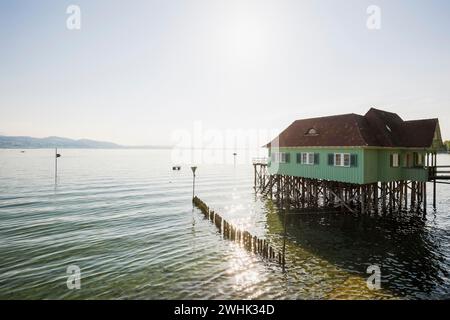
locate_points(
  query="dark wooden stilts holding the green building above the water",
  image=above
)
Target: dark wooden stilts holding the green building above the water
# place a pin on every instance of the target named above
(301, 193)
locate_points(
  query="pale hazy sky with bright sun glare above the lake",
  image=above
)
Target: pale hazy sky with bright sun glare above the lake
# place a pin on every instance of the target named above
(139, 70)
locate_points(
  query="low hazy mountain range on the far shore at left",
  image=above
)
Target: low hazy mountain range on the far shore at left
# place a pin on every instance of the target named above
(22, 142)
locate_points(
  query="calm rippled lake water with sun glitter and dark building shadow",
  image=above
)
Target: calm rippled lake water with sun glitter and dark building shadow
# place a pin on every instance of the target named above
(126, 219)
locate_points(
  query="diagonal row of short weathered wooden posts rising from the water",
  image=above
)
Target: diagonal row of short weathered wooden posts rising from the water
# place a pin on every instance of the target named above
(246, 239)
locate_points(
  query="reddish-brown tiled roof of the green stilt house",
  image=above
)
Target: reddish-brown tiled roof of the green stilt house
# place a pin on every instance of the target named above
(375, 128)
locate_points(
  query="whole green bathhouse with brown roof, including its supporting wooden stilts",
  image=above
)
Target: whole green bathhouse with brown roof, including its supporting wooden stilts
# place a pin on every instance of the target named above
(353, 161)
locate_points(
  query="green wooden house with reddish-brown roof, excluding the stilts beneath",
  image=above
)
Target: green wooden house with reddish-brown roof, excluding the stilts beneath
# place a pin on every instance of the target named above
(376, 147)
